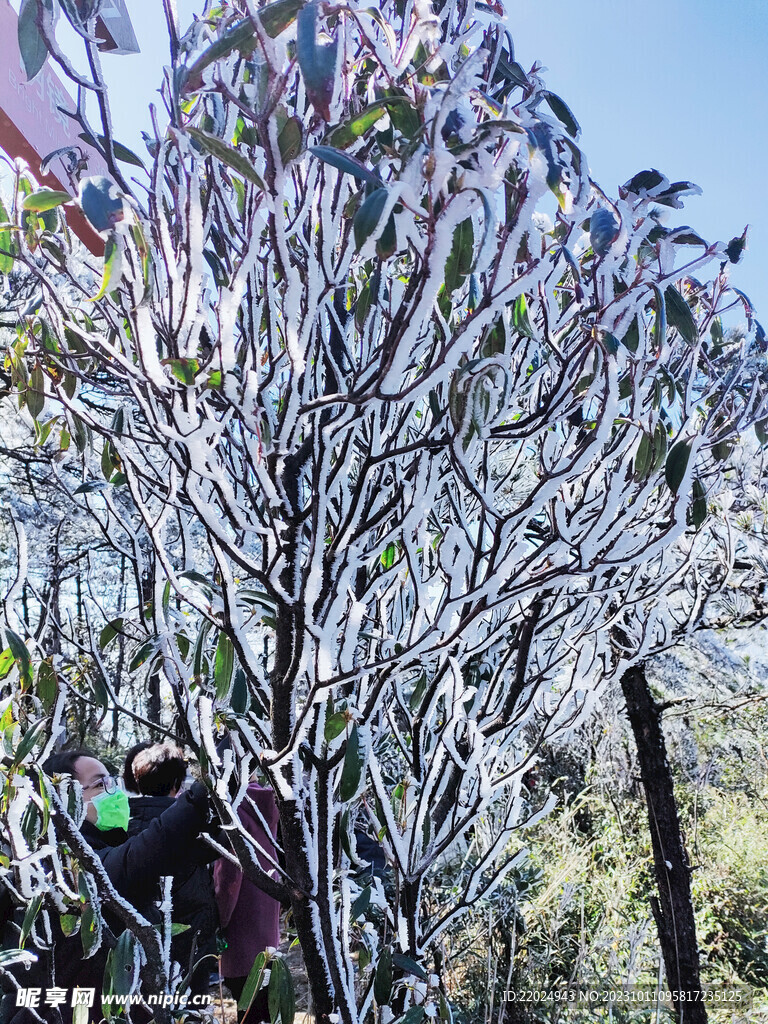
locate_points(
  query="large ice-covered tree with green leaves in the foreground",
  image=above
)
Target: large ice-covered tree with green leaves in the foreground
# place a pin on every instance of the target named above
(418, 431)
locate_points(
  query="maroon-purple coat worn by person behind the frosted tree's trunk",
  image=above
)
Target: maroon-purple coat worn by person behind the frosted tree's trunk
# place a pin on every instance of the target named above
(250, 919)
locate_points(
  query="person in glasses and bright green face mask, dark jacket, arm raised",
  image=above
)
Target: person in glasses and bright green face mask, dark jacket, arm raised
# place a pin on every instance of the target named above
(169, 845)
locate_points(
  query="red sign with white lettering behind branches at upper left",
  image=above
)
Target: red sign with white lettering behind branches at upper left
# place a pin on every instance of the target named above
(32, 126)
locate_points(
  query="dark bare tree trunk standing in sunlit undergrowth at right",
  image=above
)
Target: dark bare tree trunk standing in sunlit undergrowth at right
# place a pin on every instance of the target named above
(673, 909)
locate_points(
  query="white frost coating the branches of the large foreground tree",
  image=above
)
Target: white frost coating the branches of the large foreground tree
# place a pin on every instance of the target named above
(418, 504)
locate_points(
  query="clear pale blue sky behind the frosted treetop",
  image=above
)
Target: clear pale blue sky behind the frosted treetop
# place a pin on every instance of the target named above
(673, 84)
